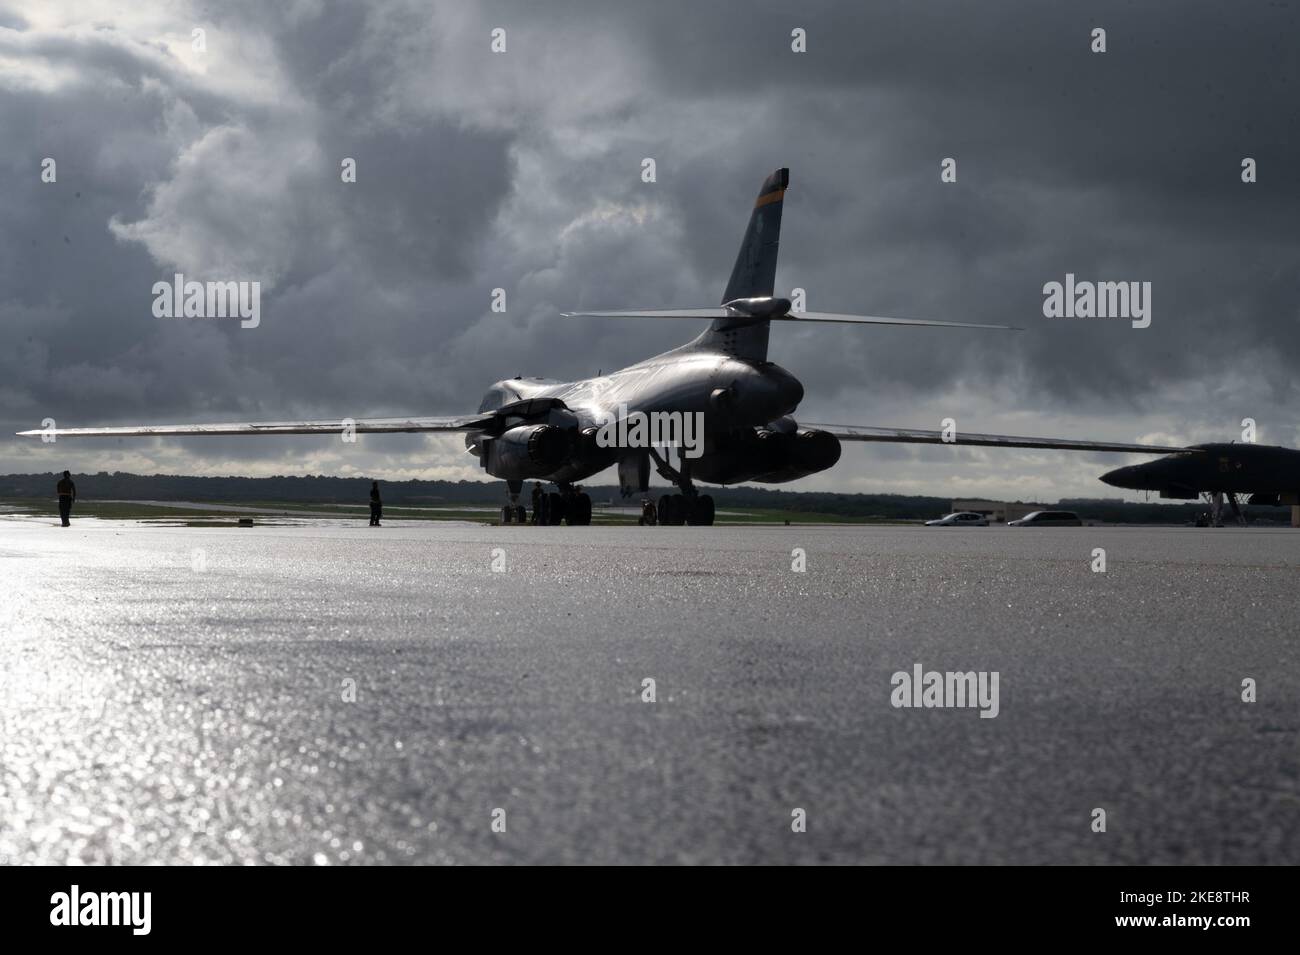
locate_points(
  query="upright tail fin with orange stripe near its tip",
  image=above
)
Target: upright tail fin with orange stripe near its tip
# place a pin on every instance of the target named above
(753, 276)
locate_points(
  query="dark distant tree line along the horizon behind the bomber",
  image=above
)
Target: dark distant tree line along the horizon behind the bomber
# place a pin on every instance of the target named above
(320, 489)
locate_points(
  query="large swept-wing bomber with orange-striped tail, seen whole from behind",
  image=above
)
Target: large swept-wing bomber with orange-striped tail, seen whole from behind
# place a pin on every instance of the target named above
(547, 431)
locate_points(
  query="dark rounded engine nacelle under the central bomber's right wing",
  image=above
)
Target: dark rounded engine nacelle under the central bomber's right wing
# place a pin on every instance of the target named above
(768, 457)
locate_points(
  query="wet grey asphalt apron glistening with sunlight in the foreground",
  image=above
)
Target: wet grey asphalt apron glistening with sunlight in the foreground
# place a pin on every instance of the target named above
(177, 694)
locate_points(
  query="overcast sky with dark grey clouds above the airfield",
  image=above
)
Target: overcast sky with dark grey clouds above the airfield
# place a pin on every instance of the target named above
(523, 171)
